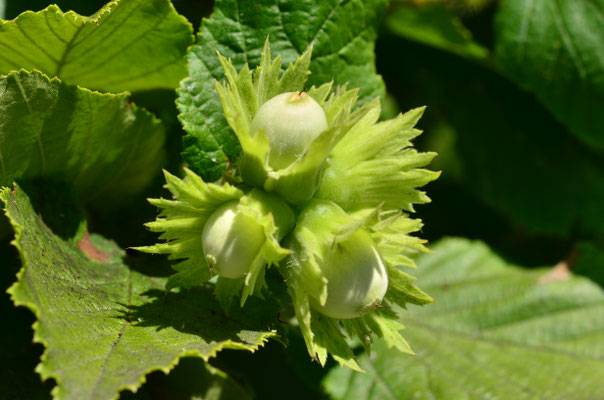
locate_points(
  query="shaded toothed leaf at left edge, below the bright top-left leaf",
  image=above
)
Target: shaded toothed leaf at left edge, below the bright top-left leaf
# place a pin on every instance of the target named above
(102, 144)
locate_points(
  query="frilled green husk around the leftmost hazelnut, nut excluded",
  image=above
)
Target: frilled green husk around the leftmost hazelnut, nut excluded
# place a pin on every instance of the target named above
(181, 222)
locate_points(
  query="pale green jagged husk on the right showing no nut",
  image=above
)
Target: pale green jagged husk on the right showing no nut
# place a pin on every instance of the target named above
(375, 165)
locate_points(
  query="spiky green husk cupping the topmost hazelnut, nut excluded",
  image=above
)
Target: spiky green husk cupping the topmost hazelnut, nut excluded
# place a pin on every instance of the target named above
(245, 92)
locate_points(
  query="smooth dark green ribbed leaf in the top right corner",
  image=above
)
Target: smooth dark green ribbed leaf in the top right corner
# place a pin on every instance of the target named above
(554, 49)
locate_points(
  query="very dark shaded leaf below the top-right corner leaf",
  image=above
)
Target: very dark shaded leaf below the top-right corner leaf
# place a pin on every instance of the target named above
(528, 166)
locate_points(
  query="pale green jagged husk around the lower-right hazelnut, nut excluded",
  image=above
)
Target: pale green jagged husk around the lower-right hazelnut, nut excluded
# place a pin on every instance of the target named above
(322, 224)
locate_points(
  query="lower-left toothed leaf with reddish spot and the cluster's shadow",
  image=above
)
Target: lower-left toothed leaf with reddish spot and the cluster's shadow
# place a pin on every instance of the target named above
(106, 326)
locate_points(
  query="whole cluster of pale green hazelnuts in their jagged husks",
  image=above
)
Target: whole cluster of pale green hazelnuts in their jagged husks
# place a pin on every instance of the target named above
(286, 139)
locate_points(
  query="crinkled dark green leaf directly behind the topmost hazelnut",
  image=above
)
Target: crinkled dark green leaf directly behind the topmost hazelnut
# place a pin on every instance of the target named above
(342, 51)
